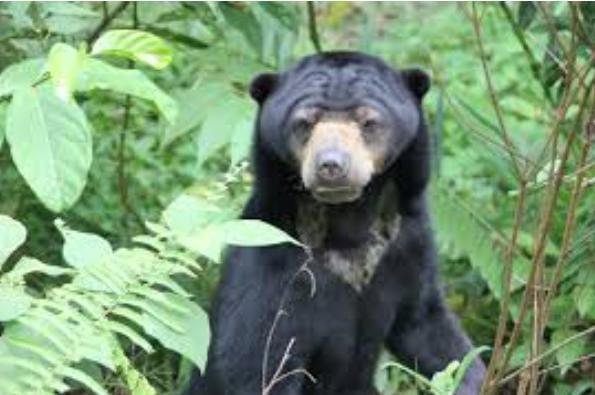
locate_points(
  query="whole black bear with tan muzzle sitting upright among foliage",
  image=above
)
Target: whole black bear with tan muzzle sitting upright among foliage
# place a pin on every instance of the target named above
(341, 162)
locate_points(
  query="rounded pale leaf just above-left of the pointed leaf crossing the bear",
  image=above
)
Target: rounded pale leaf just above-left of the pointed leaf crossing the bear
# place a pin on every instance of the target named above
(188, 214)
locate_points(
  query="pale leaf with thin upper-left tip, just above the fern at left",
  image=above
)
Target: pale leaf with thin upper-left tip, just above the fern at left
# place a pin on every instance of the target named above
(82, 249)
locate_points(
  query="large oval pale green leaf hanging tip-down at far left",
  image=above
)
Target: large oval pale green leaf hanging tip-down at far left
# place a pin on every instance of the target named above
(50, 143)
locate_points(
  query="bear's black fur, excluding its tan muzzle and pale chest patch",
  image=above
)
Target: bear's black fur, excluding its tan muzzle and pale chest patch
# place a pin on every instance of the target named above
(335, 332)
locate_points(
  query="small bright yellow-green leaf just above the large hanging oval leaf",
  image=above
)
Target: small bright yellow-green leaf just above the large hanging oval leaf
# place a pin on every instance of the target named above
(64, 64)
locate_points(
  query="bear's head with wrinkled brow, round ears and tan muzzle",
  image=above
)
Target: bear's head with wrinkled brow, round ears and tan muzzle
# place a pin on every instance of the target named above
(338, 120)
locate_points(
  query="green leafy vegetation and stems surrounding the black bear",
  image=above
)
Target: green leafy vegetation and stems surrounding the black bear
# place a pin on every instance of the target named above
(128, 125)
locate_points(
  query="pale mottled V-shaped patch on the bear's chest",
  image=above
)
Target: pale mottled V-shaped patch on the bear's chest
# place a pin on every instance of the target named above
(354, 266)
